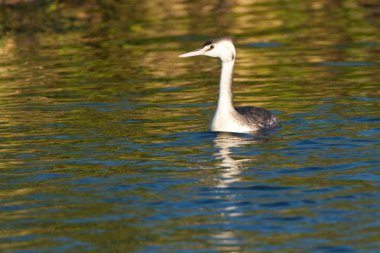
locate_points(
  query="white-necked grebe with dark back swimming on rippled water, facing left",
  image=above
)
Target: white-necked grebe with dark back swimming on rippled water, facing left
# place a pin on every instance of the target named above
(228, 118)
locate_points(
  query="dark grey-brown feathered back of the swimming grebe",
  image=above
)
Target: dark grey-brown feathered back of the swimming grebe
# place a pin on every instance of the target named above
(261, 118)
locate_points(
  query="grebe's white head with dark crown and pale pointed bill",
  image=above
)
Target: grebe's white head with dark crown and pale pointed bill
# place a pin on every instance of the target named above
(222, 48)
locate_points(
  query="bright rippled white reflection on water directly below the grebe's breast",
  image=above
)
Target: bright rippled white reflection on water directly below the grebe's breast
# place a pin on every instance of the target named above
(231, 167)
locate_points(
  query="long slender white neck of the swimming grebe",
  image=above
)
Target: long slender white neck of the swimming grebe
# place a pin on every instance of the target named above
(225, 105)
